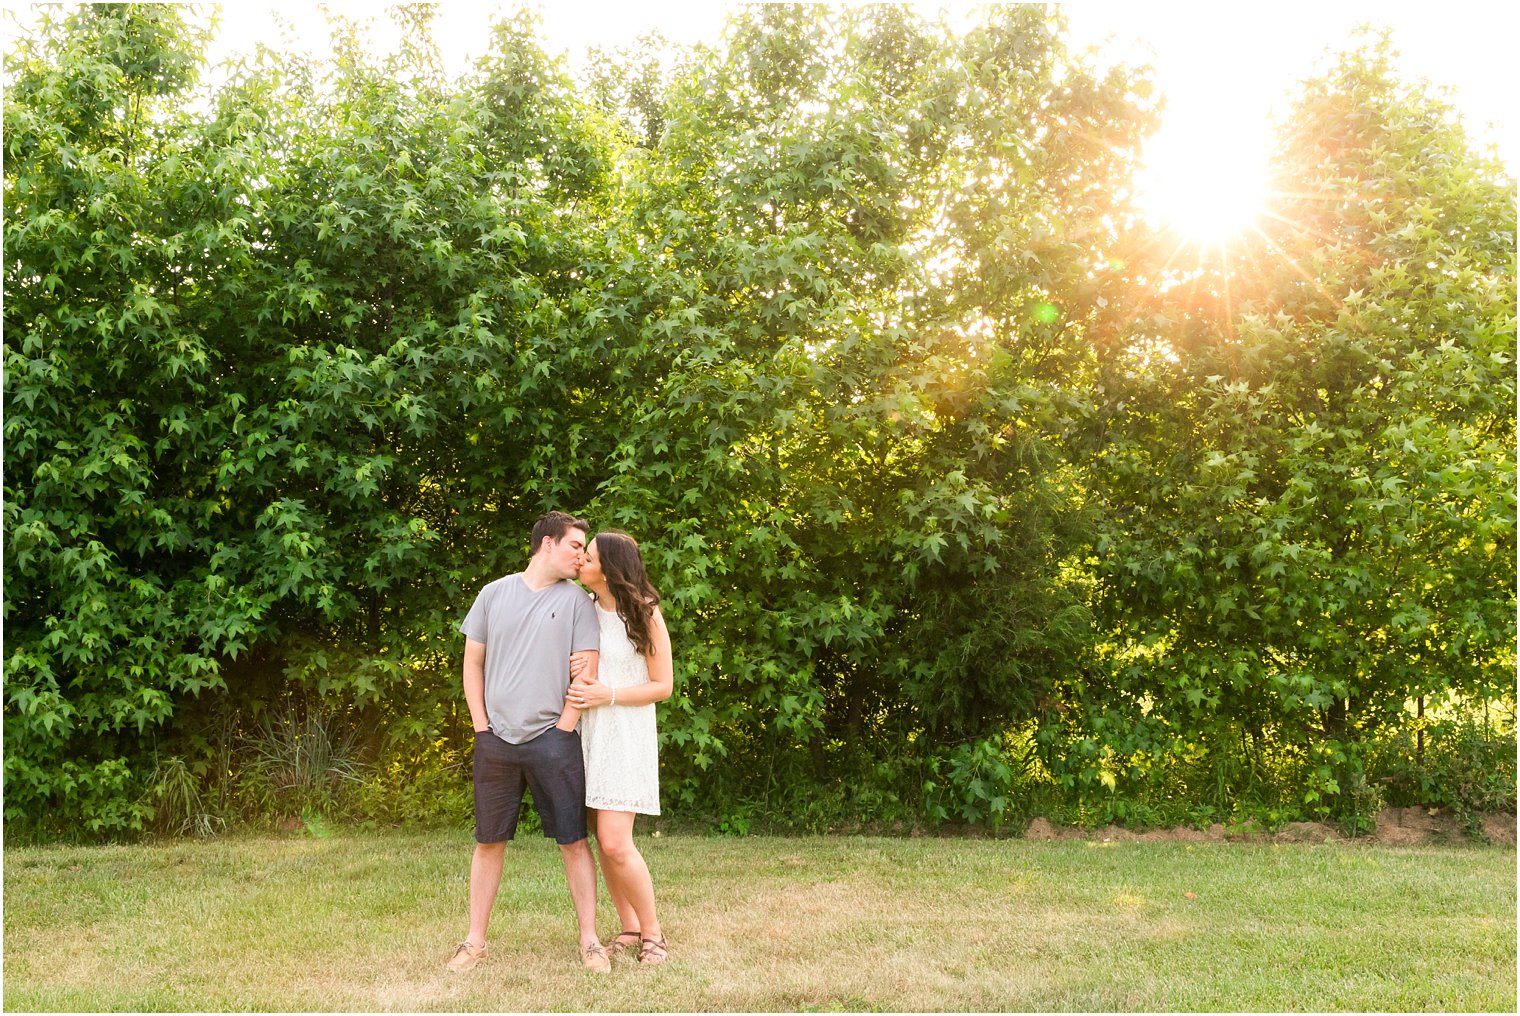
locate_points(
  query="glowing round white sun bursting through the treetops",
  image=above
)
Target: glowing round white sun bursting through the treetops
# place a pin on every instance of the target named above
(1206, 185)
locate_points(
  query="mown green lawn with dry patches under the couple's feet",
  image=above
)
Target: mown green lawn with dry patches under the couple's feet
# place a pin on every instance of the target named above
(367, 921)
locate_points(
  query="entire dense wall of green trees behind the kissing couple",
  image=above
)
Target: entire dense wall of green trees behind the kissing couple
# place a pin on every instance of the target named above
(967, 495)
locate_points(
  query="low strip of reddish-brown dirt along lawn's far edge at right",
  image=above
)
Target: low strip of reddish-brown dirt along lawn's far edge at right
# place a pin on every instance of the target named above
(1396, 828)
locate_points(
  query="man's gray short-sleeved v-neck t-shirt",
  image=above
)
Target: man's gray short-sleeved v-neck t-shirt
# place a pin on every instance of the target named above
(528, 641)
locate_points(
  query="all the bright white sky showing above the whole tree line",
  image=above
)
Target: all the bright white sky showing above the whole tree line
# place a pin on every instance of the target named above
(1224, 68)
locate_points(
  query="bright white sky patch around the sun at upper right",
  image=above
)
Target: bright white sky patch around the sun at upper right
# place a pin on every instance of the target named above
(1227, 69)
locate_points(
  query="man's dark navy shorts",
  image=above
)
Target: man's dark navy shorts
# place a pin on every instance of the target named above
(551, 766)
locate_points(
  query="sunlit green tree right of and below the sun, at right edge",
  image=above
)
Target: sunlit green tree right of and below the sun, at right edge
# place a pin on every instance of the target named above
(1309, 477)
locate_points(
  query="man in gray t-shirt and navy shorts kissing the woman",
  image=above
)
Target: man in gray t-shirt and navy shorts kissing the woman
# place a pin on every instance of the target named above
(521, 637)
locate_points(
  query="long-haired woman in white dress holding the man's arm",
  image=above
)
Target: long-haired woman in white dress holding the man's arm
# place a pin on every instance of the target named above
(618, 731)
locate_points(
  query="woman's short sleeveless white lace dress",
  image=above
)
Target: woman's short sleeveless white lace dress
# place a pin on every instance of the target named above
(622, 755)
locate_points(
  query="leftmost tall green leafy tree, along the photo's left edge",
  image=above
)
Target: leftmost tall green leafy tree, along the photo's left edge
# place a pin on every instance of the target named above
(118, 229)
